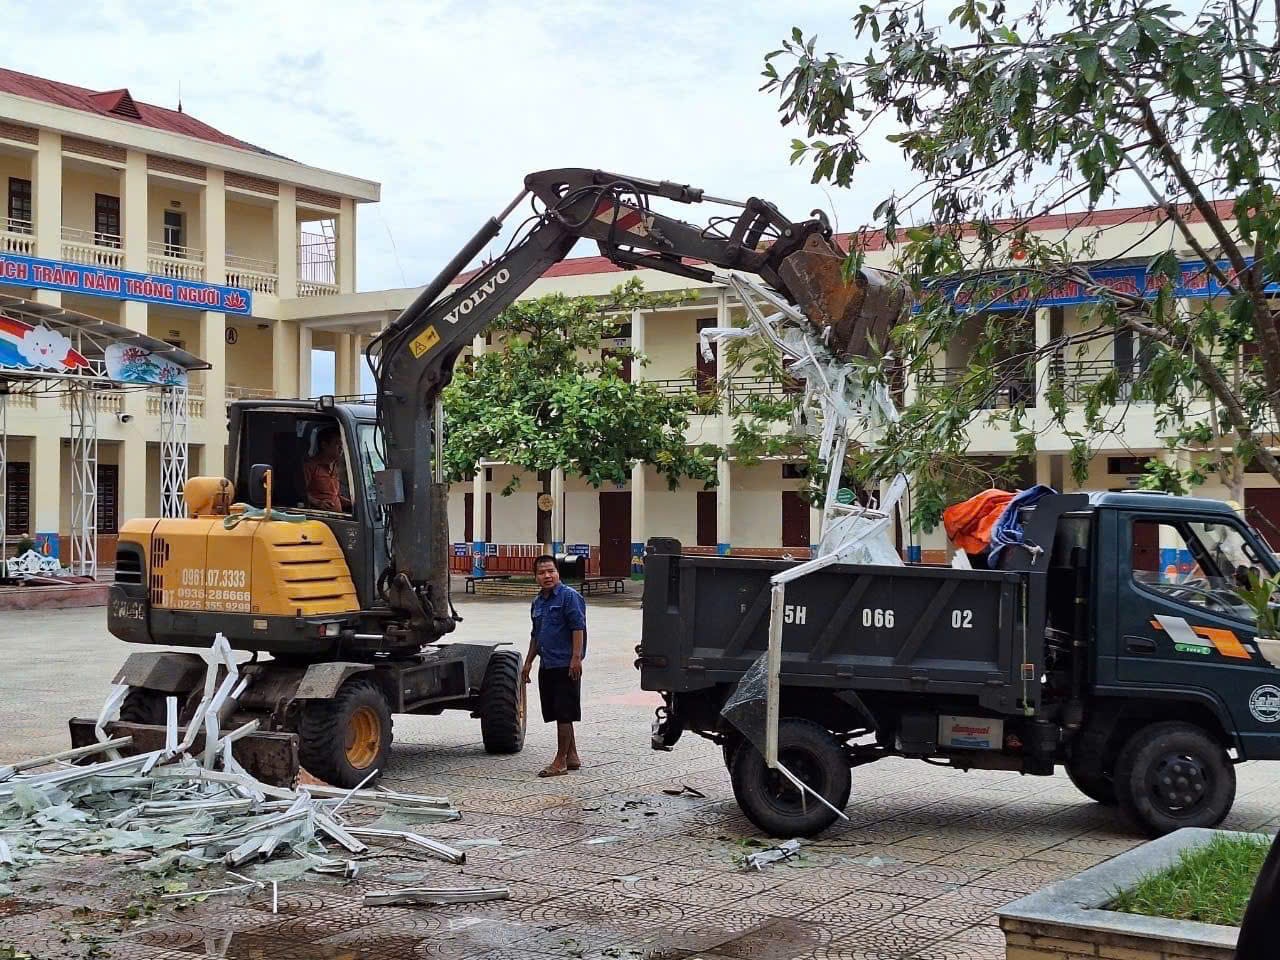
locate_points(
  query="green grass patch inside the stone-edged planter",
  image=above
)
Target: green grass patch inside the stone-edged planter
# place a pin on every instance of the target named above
(1210, 884)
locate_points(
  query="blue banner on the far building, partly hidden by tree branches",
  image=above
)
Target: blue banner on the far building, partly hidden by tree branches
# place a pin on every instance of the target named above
(1012, 294)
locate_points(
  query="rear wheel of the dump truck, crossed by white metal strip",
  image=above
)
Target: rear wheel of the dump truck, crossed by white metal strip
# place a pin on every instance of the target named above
(771, 802)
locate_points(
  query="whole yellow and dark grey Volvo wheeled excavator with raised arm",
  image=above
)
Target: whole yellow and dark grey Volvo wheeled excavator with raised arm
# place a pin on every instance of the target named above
(344, 607)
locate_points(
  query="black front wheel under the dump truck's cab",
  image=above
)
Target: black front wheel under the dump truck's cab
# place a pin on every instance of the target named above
(1174, 775)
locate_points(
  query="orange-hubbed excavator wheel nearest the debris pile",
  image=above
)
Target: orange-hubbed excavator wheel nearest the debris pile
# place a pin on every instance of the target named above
(345, 739)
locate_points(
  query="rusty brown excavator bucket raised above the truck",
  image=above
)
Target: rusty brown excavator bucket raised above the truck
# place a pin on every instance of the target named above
(858, 312)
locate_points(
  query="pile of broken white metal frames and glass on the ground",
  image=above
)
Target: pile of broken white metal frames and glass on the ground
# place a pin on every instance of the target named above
(191, 811)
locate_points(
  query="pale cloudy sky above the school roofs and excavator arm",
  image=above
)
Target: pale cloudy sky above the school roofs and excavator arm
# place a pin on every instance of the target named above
(449, 106)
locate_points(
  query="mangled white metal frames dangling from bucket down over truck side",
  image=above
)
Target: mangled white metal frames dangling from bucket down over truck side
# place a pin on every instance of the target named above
(843, 400)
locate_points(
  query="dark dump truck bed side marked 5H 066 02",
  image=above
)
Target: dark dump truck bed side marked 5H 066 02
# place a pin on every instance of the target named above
(918, 629)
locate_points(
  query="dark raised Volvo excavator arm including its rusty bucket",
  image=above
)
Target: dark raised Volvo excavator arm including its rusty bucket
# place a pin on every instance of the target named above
(414, 358)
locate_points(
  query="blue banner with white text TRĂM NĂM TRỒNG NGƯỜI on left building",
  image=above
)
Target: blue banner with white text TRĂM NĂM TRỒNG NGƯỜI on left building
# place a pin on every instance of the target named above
(121, 285)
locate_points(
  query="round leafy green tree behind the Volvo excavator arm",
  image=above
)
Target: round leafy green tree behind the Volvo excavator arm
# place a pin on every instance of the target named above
(546, 397)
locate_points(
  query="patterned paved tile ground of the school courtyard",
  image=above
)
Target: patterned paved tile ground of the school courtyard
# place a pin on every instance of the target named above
(602, 863)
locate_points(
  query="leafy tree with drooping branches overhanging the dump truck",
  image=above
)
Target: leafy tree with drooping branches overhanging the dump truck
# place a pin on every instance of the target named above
(1069, 104)
